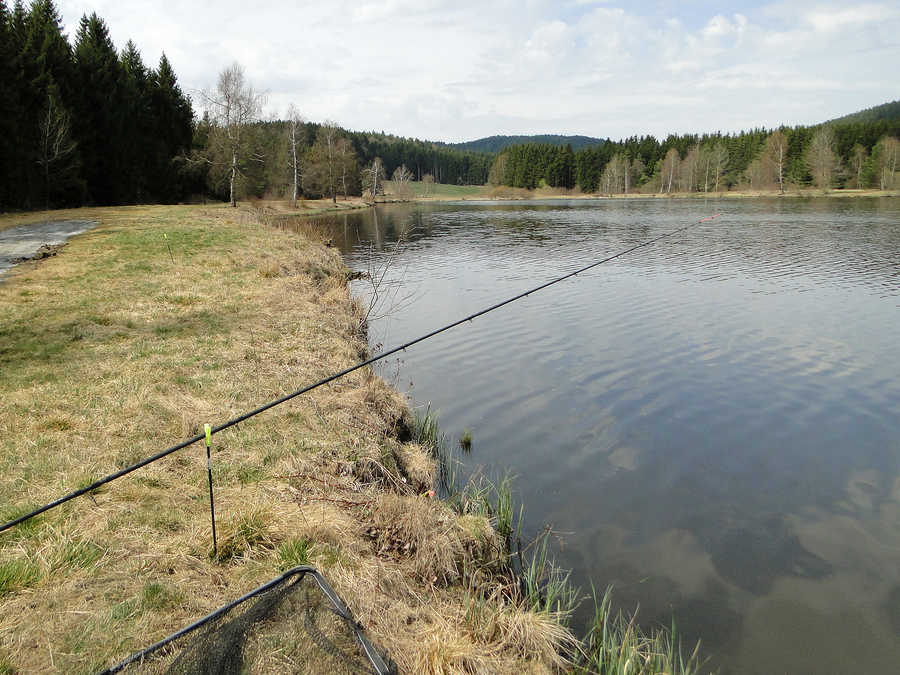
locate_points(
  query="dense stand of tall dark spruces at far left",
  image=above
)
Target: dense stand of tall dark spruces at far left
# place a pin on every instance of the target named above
(82, 123)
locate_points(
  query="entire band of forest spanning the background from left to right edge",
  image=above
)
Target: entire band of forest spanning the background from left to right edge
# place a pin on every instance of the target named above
(84, 124)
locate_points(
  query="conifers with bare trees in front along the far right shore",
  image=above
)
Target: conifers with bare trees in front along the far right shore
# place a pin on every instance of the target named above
(852, 155)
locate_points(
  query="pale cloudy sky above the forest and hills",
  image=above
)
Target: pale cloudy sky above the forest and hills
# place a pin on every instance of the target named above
(457, 70)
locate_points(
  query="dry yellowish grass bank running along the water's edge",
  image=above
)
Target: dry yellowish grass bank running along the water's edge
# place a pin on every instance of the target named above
(112, 351)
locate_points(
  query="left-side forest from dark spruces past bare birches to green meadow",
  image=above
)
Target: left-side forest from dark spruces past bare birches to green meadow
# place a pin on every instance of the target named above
(86, 124)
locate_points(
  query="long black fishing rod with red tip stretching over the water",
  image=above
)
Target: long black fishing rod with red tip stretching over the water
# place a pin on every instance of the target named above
(331, 378)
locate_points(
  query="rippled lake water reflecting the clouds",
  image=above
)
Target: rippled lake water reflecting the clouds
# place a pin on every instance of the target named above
(714, 421)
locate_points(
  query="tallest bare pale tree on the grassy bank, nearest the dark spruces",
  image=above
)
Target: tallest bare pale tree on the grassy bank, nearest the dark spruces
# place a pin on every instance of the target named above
(233, 106)
